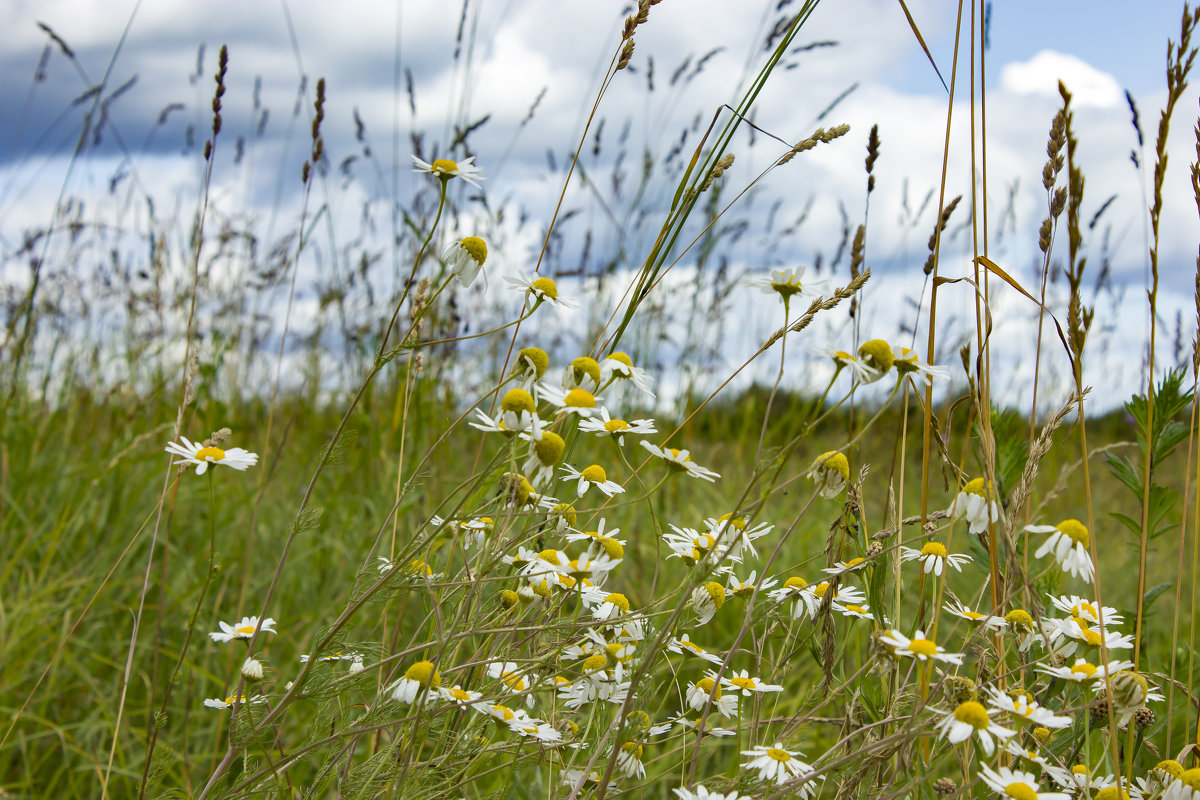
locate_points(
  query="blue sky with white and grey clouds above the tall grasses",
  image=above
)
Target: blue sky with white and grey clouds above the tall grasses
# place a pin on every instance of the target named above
(495, 59)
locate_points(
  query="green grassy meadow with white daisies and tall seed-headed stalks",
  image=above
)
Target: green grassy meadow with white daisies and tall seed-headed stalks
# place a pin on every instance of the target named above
(464, 537)
